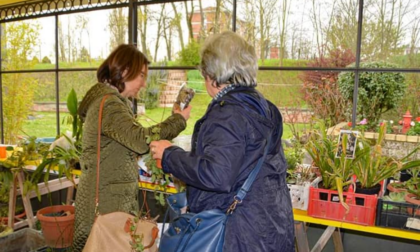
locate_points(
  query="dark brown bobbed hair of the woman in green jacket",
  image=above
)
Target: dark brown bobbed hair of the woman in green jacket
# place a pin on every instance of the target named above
(124, 57)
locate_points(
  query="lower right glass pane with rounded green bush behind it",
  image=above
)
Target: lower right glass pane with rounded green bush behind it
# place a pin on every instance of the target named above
(393, 96)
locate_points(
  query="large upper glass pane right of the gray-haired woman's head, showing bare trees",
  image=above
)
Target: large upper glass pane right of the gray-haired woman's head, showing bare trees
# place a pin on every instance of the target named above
(289, 33)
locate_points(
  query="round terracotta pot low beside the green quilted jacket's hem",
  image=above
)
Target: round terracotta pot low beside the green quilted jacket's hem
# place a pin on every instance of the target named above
(57, 230)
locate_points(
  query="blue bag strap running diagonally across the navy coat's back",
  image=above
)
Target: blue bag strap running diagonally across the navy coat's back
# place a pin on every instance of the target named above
(240, 195)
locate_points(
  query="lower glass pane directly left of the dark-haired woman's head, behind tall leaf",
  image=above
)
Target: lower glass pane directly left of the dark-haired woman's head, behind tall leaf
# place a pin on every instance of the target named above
(81, 82)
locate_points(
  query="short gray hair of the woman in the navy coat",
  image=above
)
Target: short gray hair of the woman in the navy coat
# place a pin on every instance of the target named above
(227, 58)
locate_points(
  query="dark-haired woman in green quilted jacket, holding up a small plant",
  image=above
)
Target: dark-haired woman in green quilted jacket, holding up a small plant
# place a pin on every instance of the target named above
(123, 139)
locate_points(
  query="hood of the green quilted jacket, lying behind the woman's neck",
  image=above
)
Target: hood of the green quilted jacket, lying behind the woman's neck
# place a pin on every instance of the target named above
(94, 93)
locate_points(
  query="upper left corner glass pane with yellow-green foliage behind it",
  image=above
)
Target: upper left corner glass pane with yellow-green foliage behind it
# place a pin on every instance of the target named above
(28, 44)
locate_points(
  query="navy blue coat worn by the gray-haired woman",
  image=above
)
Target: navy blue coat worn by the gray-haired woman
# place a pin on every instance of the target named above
(226, 145)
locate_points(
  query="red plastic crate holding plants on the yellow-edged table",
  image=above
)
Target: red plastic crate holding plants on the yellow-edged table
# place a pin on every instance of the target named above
(325, 204)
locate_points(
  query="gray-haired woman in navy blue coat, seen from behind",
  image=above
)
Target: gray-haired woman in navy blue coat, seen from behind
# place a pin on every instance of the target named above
(227, 143)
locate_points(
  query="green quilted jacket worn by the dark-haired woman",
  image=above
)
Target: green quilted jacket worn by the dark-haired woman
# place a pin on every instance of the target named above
(123, 139)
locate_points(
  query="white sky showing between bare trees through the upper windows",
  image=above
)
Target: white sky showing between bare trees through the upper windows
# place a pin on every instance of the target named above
(99, 33)
